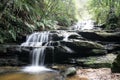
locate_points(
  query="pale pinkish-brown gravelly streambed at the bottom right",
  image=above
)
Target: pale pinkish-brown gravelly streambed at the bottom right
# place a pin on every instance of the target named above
(95, 74)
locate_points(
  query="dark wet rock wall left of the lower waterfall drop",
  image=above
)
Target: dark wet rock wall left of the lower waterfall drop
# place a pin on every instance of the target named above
(15, 55)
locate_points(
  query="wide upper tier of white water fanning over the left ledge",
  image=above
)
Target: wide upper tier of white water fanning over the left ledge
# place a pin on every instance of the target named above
(36, 39)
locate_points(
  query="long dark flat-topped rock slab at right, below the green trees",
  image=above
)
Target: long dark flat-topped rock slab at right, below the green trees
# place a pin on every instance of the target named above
(101, 36)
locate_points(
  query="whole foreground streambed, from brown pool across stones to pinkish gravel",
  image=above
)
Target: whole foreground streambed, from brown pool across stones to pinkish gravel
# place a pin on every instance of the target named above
(61, 72)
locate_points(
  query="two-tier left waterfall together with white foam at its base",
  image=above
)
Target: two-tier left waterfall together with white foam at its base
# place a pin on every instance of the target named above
(38, 55)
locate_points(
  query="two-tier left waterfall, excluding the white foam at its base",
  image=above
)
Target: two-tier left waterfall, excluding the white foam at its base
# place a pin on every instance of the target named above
(35, 40)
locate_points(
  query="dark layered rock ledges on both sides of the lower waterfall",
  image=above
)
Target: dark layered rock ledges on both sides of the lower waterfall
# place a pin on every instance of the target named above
(89, 49)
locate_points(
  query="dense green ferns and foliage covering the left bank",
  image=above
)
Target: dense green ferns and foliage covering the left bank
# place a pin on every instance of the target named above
(21, 17)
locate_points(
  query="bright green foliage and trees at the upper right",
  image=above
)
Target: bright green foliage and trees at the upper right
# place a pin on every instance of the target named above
(106, 12)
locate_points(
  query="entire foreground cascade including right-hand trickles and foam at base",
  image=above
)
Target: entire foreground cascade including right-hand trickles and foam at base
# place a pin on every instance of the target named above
(40, 42)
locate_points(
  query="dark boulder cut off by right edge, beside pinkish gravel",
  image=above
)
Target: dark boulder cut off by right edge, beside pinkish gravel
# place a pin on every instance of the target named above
(116, 64)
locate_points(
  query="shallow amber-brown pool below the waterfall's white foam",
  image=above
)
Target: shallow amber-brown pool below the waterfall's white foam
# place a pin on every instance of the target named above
(11, 74)
